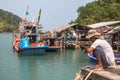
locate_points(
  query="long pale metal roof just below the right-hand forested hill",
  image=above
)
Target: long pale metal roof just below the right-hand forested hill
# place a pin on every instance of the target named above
(102, 24)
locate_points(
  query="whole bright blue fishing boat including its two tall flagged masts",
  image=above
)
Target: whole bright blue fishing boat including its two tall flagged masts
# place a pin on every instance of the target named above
(26, 41)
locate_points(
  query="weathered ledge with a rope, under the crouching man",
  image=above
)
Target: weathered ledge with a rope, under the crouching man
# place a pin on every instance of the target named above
(111, 73)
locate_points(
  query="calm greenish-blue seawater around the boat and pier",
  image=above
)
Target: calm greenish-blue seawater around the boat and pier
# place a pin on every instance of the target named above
(50, 66)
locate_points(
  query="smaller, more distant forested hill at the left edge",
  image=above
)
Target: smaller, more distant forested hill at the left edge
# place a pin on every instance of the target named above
(8, 21)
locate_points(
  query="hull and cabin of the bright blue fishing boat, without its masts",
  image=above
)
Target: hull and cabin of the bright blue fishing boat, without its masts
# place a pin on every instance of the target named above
(27, 42)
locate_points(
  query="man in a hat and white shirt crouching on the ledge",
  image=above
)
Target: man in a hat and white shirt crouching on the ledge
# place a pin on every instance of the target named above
(101, 49)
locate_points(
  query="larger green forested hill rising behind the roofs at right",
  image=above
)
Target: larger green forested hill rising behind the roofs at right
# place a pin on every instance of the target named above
(98, 11)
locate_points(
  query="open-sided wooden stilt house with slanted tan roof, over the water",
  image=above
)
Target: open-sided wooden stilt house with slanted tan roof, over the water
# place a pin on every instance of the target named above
(72, 35)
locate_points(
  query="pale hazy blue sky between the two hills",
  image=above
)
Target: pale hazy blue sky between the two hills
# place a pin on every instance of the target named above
(54, 13)
